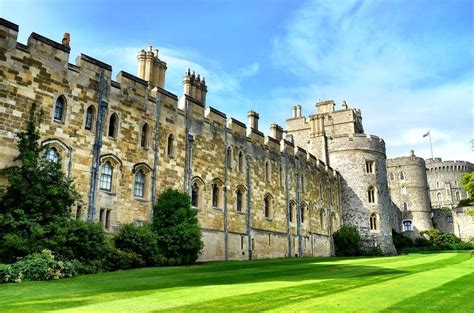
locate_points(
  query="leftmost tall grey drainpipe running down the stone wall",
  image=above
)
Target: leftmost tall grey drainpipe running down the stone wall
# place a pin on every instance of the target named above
(91, 211)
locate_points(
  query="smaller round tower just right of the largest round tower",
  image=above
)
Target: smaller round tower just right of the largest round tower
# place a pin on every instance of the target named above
(408, 185)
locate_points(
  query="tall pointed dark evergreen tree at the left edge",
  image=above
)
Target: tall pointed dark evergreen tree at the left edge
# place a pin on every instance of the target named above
(37, 192)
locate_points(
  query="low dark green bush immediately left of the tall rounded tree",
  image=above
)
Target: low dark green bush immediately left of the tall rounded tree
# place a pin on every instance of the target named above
(140, 240)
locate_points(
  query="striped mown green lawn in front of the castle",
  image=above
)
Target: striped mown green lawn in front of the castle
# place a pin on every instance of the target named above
(438, 282)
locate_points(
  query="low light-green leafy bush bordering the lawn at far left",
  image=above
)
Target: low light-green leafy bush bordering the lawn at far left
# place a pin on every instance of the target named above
(38, 266)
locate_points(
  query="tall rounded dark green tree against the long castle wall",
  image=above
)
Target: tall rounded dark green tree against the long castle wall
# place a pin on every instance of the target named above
(177, 227)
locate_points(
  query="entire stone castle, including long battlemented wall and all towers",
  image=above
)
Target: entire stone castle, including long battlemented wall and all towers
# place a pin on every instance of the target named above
(126, 140)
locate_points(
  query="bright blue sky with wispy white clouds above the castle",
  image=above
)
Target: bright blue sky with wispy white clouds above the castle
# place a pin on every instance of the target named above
(408, 65)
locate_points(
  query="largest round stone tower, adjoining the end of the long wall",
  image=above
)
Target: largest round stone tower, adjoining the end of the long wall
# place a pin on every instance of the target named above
(361, 160)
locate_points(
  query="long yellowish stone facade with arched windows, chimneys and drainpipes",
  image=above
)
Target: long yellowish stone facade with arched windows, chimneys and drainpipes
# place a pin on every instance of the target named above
(126, 140)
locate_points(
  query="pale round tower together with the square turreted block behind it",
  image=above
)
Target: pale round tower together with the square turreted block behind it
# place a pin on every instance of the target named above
(337, 137)
